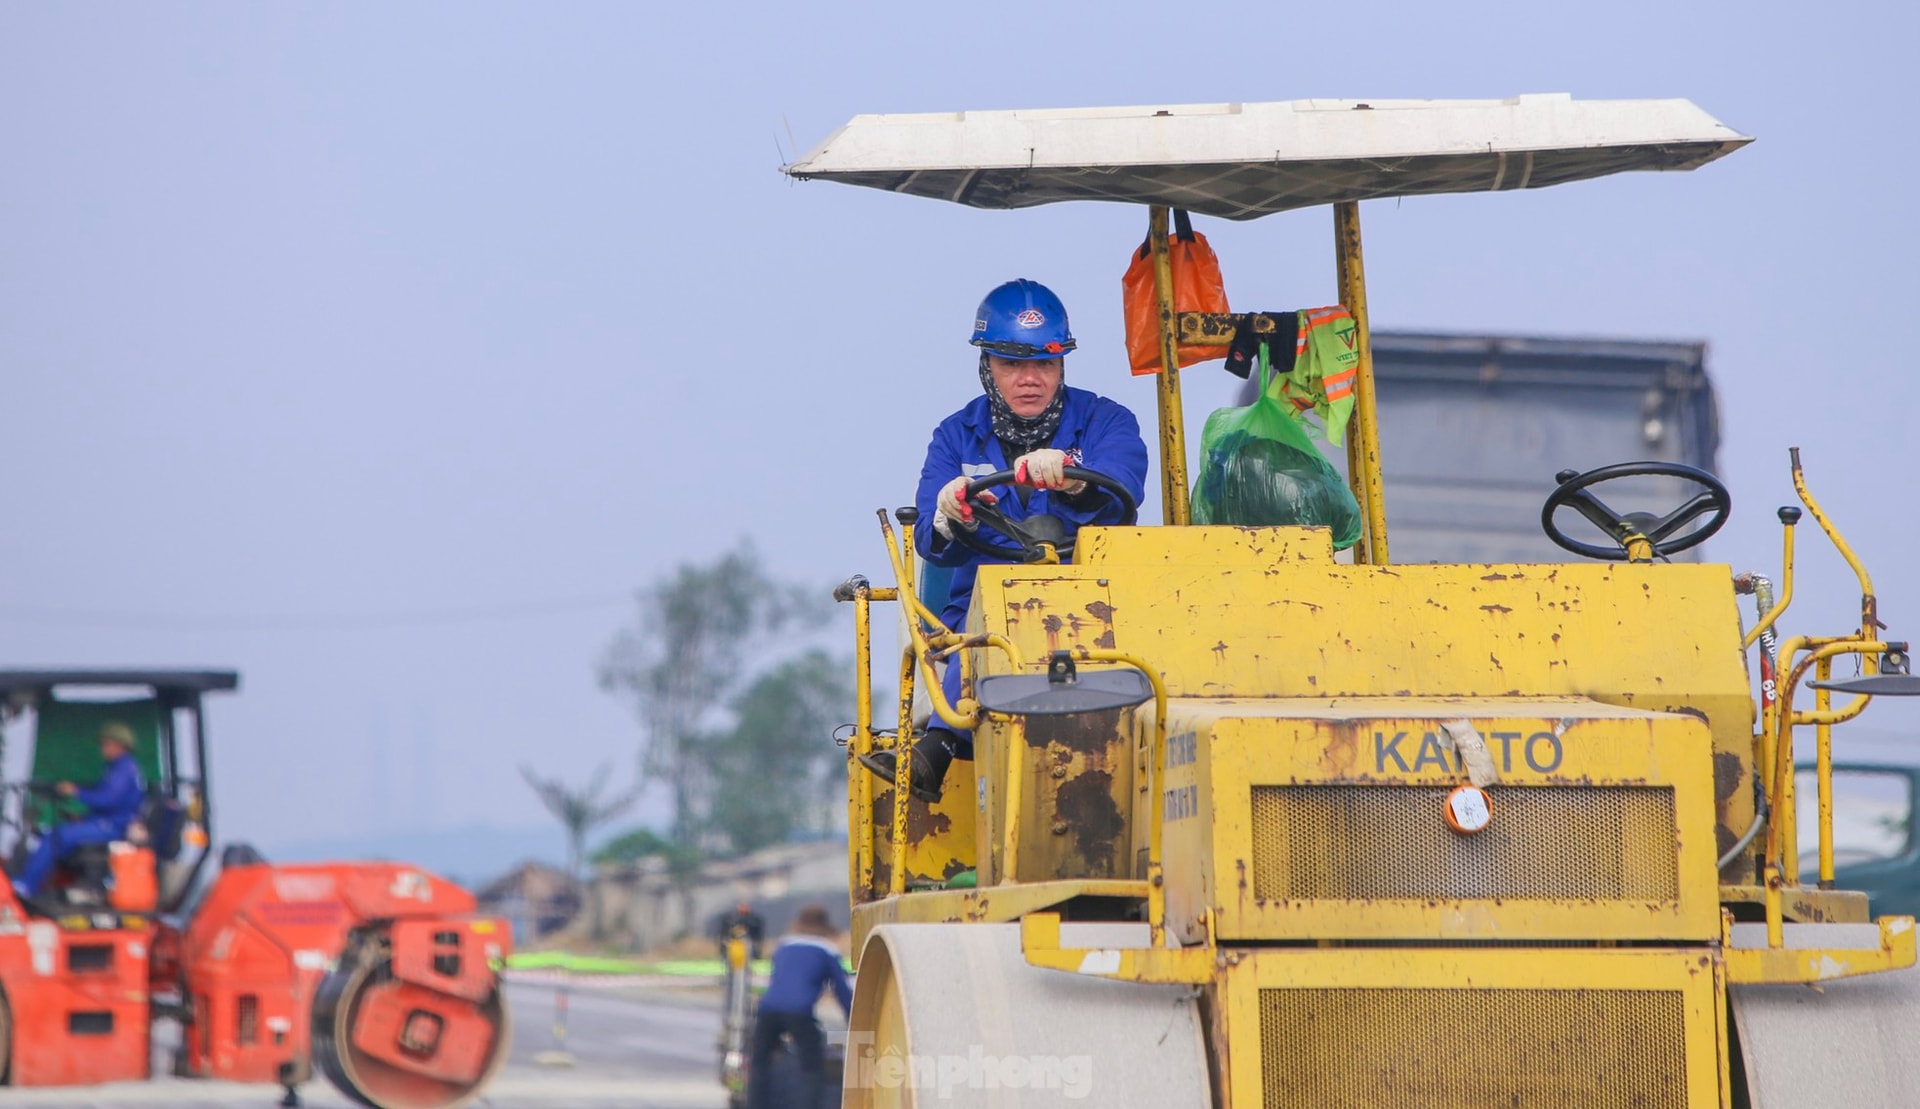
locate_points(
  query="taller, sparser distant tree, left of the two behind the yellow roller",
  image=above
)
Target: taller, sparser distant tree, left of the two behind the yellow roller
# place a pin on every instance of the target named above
(684, 661)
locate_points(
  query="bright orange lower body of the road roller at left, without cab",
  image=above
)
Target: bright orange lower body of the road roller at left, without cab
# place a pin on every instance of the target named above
(84, 989)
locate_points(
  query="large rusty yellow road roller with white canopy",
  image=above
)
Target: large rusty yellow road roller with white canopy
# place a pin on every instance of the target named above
(1255, 822)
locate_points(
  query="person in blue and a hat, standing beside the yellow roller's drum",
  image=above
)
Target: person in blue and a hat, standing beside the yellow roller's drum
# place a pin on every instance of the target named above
(805, 964)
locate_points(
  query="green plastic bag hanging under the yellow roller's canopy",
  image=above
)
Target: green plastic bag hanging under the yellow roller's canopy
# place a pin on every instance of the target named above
(1259, 467)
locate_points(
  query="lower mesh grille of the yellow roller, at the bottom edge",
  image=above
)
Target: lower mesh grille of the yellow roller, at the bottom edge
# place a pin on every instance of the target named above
(1474, 1049)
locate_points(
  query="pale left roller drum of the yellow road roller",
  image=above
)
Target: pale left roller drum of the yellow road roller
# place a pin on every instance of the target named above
(953, 1016)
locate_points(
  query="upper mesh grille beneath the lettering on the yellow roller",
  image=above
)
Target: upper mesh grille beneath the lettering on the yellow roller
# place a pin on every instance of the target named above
(1381, 841)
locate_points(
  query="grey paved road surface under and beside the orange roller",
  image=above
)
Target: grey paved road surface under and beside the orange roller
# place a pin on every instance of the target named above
(631, 1050)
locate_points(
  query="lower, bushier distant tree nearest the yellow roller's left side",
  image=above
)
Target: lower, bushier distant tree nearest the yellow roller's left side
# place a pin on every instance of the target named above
(777, 772)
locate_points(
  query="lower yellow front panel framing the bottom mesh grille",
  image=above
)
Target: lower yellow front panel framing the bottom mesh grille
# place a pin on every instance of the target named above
(1504, 1039)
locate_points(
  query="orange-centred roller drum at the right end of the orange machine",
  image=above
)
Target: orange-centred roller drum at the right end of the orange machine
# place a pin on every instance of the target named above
(398, 1045)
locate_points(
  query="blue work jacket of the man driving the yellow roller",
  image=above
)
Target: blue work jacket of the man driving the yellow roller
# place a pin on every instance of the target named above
(1107, 438)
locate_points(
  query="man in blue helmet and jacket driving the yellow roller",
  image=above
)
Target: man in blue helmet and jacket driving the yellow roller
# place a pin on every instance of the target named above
(1030, 421)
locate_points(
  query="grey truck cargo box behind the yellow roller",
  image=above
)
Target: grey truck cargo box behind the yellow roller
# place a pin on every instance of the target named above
(1476, 427)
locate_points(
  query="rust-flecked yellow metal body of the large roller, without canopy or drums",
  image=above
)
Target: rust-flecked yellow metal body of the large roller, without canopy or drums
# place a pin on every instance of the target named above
(1280, 807)
